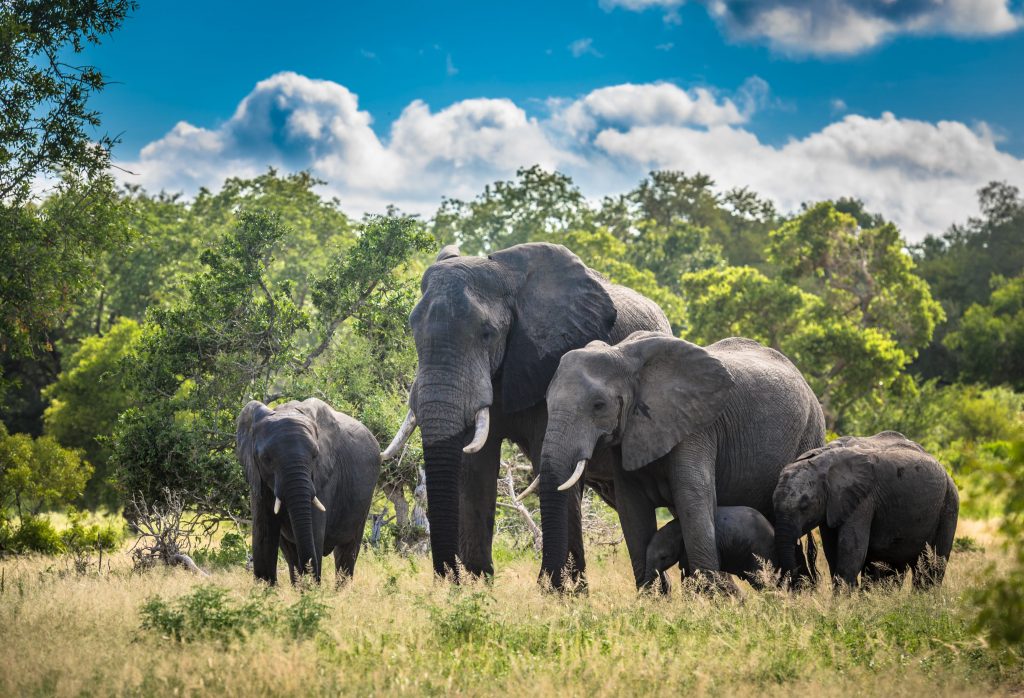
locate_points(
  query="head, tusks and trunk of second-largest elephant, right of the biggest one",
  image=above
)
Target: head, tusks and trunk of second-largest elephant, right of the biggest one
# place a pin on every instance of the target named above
(646, 396)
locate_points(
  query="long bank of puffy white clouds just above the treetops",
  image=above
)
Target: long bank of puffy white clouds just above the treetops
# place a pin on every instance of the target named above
(922, 176)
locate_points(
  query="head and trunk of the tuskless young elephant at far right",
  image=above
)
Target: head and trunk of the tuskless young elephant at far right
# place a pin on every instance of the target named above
(824, 486)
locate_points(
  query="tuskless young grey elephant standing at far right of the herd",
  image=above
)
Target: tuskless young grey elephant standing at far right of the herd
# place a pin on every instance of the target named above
(878, 501)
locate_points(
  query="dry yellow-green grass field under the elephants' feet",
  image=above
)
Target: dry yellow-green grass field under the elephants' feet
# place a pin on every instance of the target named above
(396, 631)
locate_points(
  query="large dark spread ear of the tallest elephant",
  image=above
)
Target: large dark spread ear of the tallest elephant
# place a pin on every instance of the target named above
(560, 306)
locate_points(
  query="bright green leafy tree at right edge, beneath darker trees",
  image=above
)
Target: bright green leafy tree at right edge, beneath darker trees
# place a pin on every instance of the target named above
(989, 344)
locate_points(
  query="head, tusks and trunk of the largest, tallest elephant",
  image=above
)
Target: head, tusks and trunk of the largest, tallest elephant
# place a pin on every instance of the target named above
(487, 326)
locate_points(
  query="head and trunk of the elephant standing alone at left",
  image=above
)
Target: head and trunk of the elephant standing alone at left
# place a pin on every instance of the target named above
(280, 453)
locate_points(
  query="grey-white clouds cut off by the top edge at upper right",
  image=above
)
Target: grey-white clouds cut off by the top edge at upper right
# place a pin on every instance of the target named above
(844, 27)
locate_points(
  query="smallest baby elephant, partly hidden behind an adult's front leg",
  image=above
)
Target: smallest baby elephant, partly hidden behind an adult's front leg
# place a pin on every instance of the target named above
(744, 538)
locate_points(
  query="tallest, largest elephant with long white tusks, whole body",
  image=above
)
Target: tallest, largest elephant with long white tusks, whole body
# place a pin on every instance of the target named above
(490, 333)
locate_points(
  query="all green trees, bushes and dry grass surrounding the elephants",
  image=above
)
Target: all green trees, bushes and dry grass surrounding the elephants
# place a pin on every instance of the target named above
(135, 325)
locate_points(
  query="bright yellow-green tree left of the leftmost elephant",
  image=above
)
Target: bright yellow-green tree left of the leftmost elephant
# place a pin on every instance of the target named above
(87, 401)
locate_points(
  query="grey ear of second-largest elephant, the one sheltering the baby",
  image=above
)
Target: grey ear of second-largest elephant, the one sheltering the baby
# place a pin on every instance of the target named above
(681, 390)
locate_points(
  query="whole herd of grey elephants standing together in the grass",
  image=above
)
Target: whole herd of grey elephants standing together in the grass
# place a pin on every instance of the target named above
(531, 345)
